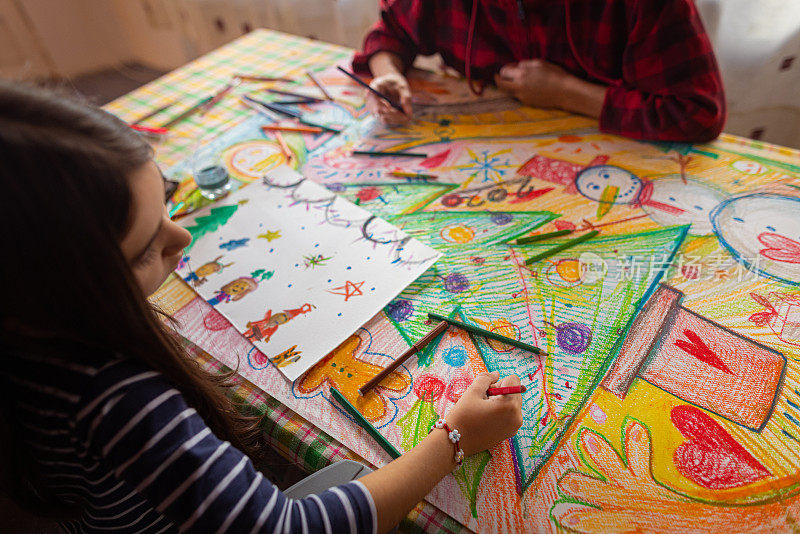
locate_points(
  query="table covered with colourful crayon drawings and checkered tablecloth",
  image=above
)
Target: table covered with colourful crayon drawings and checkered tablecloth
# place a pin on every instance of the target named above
(668, 397)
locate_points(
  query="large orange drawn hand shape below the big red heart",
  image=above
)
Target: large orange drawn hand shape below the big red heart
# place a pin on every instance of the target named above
(628, 499)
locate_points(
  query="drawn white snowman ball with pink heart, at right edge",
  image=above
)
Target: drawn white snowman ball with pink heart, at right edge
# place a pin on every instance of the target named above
(762, 231)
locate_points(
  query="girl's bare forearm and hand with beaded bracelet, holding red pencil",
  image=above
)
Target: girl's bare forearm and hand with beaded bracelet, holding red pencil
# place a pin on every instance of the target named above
(482, 422)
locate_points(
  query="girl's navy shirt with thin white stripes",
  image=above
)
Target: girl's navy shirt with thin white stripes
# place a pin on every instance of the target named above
(115, 438)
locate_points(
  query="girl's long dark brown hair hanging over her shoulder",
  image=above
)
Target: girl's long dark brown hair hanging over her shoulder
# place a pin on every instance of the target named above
(65, 204)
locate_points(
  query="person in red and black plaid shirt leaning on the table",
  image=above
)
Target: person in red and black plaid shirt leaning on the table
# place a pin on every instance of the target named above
(645, 69)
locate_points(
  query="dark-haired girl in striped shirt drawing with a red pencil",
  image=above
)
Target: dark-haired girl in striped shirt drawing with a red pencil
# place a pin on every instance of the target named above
(104, 419)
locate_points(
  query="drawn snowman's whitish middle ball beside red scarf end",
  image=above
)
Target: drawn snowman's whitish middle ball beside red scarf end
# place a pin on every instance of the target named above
(673, 202)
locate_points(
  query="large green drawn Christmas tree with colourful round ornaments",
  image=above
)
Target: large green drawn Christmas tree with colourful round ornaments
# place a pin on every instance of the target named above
(575, 317)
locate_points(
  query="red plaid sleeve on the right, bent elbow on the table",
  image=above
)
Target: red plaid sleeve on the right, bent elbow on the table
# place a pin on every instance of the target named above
(671, 88)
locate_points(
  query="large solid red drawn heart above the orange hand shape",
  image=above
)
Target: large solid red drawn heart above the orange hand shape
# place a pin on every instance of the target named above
(711, 457)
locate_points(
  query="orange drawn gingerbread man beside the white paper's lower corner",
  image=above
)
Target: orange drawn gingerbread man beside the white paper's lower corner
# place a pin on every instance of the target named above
(344, 371)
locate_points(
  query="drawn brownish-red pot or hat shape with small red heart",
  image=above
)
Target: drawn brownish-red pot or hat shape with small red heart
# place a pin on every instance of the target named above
(699, 361)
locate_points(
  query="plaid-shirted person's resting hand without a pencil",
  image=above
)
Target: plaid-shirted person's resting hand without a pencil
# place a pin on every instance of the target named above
(534, 82)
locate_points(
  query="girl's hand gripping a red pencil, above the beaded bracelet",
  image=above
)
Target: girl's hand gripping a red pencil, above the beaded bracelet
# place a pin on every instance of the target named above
(485, 421)
